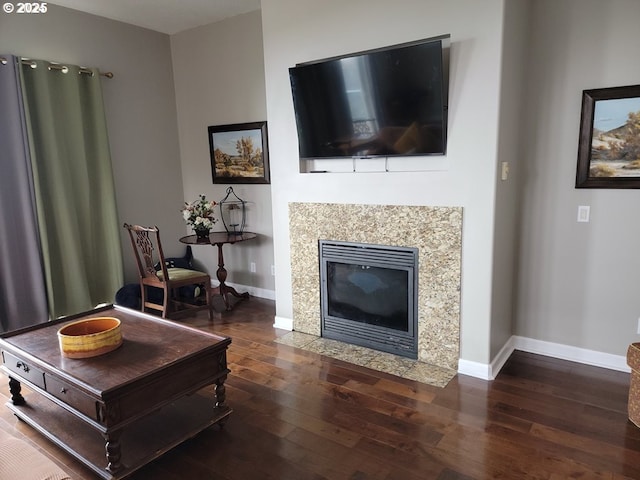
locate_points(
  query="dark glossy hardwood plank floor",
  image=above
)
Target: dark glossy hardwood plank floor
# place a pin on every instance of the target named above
(298, 415)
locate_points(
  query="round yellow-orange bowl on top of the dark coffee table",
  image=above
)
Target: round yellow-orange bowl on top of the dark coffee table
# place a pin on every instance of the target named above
(90, 337)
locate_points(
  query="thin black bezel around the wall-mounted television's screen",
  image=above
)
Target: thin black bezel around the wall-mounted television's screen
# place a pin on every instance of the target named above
(445, 44)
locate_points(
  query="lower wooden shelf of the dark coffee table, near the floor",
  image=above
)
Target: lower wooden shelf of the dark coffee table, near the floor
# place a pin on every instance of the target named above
(141, 441)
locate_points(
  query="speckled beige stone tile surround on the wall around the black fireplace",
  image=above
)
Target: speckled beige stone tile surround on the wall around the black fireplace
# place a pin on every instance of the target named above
(435, 231)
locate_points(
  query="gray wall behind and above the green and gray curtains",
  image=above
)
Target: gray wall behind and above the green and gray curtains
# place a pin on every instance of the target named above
(139, 103)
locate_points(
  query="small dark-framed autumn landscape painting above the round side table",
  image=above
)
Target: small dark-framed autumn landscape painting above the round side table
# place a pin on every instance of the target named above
(239, 153)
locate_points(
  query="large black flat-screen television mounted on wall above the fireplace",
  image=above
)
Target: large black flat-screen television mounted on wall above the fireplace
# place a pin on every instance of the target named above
(378, 103)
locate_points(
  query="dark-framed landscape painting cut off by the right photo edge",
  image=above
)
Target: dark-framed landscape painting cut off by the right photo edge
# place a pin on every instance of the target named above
(609, 144)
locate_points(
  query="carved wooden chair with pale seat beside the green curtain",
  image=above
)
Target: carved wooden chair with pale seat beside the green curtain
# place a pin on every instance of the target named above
(147, 250)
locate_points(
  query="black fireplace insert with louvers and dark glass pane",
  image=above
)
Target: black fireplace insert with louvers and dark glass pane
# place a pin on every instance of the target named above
(369, 295)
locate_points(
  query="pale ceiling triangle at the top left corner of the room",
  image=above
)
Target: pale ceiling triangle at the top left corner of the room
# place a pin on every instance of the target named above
(166, 16)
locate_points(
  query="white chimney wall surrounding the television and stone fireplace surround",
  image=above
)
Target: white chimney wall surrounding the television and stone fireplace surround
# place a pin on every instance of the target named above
(301, 30)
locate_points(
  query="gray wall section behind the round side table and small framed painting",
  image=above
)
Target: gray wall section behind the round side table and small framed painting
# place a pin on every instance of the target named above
(219, 78)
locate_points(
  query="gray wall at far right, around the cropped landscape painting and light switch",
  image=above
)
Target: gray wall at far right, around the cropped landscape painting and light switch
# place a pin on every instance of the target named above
(578, 282)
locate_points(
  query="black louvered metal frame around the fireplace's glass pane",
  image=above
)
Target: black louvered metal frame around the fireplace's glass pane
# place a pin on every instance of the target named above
(359, 333)
